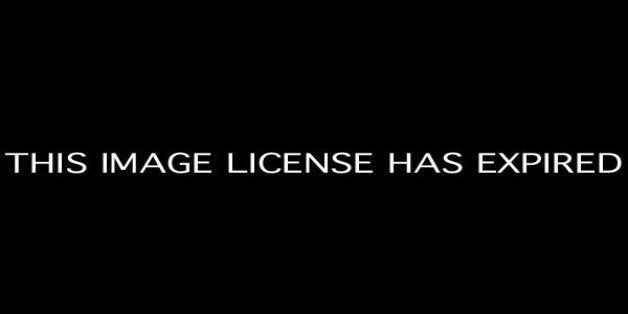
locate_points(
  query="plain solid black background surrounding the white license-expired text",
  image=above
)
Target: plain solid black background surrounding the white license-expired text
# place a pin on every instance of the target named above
(399, 80)
